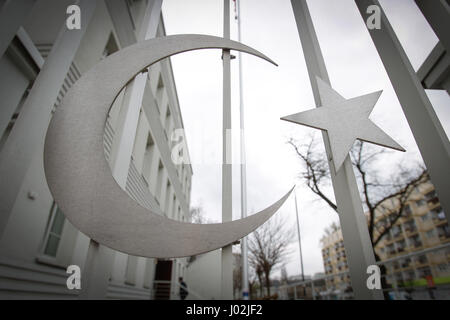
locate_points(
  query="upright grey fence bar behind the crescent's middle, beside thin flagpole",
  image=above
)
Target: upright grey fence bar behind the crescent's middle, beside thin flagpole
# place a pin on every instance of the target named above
(227, 213)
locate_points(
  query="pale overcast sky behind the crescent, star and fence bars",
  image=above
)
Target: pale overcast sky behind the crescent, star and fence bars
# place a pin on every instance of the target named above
(272, 92)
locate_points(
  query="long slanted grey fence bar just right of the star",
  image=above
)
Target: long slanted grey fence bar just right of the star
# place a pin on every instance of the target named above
(428, 132)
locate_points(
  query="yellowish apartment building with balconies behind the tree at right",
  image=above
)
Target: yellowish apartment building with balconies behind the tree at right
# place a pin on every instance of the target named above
(422, 226)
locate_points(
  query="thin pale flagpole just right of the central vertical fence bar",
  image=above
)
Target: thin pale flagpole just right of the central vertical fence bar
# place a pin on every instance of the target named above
(244, 247)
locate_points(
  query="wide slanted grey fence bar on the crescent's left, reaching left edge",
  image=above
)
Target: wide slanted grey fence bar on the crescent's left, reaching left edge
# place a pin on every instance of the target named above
(28, 133)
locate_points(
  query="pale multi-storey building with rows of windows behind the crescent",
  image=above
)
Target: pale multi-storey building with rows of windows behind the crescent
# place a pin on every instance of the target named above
(38, 242)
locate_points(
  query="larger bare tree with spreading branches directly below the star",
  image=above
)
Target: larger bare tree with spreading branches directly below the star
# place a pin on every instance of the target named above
(375, 190)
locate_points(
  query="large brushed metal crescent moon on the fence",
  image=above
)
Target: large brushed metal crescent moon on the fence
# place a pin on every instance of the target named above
(80, 179)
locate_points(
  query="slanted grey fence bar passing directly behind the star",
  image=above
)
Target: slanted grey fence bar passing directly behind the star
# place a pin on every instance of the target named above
(353, 222)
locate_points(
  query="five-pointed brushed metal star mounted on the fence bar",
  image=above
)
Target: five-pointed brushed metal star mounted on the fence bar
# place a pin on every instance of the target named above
(345, 121)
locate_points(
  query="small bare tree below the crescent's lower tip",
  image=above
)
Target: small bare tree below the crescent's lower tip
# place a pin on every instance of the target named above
(268, 248)
